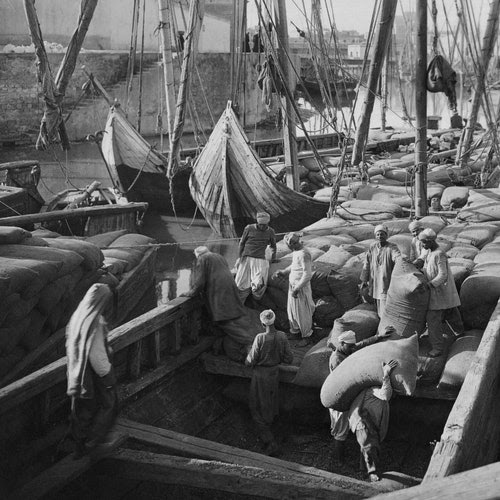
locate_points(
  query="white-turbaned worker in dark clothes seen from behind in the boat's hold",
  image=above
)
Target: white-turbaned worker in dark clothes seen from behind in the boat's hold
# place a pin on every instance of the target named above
(269, 349)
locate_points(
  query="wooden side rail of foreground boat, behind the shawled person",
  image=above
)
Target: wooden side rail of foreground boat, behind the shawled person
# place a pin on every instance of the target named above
(145, 349)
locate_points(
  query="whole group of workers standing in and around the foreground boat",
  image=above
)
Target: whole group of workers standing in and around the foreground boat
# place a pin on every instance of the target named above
(91, 381)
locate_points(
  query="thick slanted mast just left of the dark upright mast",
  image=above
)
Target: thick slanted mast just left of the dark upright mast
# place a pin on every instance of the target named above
(384, 31)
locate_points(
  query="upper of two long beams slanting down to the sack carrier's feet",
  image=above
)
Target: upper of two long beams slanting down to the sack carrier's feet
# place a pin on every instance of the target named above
(190, 446)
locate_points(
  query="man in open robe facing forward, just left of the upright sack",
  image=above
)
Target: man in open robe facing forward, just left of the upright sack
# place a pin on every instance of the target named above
(377, 268)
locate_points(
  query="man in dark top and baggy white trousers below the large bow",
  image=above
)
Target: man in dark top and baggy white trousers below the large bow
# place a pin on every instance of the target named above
(252, 266)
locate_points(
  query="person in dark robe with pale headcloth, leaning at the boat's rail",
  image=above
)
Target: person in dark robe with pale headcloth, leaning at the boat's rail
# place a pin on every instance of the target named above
(213, 279)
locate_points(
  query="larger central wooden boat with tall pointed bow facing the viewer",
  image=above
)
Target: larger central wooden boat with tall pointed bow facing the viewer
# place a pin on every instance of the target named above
(229, 184)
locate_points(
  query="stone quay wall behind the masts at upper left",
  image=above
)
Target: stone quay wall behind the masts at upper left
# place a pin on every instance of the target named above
(21, 104)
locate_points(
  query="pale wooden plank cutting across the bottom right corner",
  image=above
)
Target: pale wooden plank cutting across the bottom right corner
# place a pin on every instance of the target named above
(478, 484)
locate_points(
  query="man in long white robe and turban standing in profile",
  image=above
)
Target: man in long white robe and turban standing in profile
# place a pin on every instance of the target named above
(300, 304)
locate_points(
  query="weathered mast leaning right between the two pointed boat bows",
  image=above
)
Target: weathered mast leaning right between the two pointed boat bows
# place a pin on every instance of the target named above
(196, 12)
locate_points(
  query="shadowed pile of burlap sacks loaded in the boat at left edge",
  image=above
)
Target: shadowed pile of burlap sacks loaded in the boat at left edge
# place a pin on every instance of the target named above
(43, 277)
